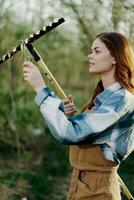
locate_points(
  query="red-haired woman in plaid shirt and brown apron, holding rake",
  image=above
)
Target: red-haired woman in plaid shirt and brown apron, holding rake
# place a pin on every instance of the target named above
(102, 135)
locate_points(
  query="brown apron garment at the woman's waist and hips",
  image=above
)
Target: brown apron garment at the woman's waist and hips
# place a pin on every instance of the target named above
(94, 177)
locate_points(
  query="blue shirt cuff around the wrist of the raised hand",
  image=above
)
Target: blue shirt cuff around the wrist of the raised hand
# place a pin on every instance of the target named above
(43, 94)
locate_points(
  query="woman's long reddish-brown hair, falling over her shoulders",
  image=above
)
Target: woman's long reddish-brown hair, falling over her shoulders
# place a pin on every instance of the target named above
(122, 51)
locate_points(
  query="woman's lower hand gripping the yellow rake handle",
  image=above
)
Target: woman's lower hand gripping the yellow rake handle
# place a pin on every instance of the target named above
(69, 107)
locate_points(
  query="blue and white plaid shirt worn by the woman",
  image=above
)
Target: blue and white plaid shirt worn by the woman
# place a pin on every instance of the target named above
(111, 125)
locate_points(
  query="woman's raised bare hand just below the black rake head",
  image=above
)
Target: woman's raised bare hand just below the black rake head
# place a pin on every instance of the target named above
(33, 76)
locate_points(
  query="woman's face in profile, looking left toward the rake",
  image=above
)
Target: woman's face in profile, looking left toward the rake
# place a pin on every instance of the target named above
(100, 58)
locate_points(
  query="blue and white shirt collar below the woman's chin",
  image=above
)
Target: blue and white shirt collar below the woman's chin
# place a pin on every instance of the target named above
(106, 92)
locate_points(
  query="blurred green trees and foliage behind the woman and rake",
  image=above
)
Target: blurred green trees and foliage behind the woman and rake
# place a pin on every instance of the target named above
(32, 163)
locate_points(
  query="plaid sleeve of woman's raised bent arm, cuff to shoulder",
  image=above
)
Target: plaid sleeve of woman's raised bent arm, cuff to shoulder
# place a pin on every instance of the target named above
(81, 126)
